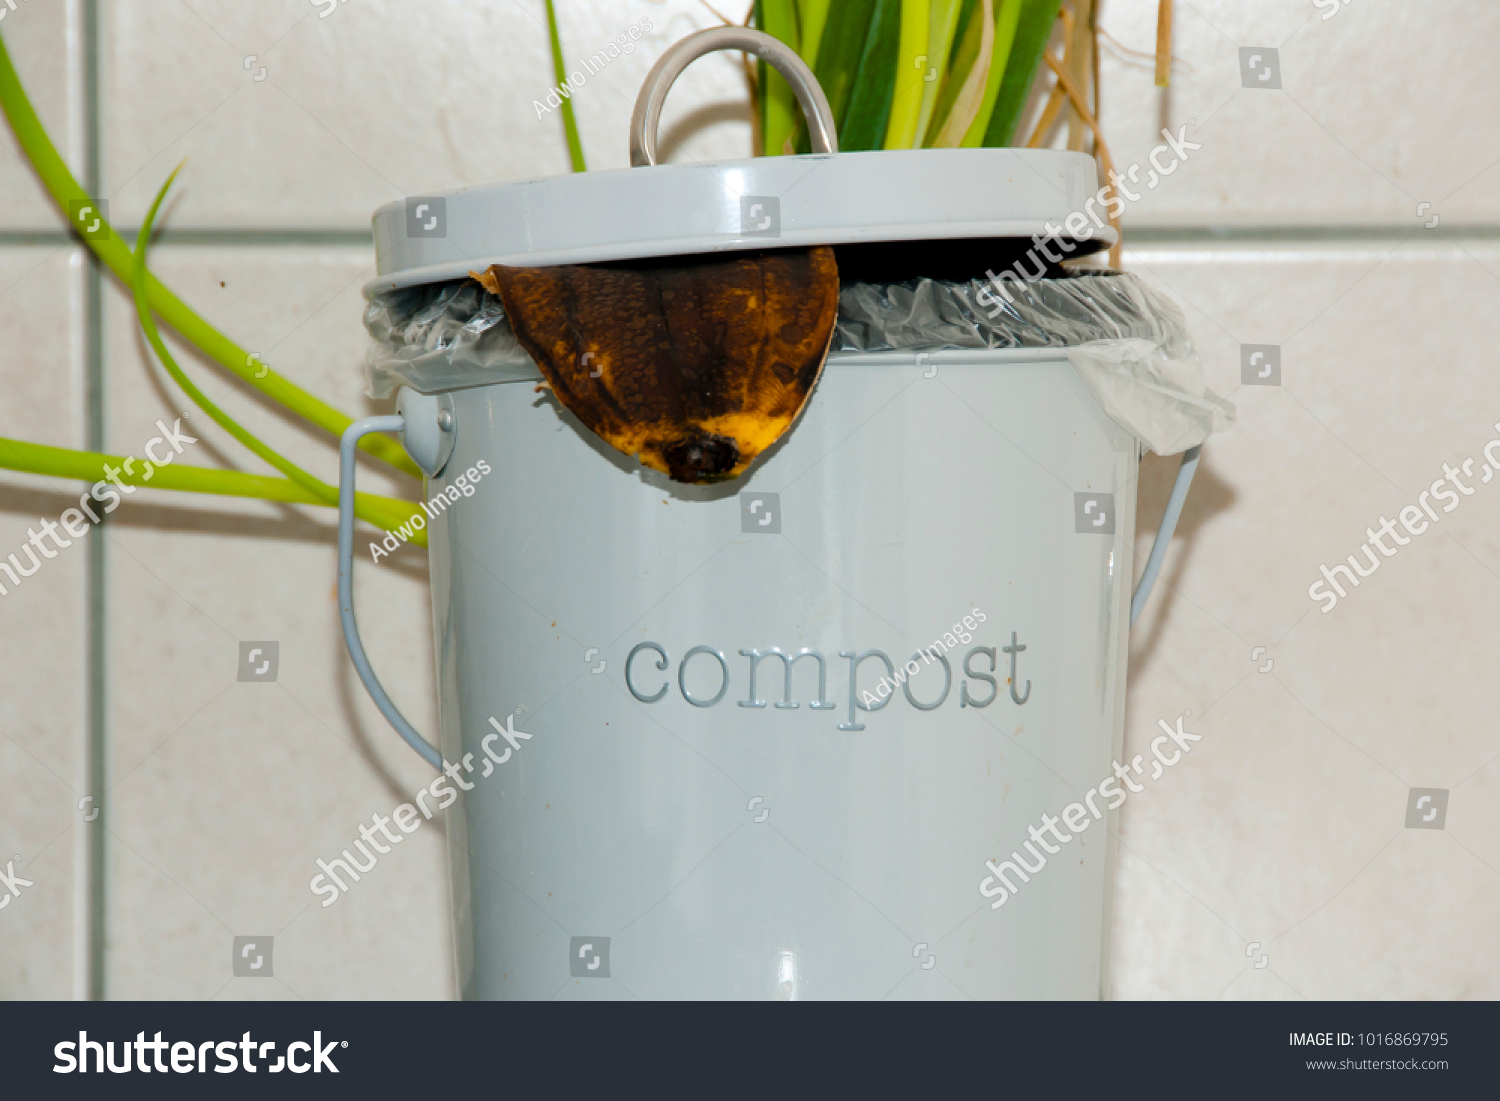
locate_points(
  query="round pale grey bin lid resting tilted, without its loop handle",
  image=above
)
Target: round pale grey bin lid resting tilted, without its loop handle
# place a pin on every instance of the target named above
(782, 202)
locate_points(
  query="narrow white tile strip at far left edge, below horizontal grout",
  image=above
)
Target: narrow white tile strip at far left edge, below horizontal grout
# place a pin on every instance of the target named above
(43, 632)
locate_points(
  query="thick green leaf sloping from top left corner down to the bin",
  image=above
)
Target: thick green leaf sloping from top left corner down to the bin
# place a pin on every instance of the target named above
(115, 253)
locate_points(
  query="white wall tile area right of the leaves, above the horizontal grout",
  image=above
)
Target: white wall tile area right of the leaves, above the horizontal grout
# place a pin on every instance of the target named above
(1378, 112)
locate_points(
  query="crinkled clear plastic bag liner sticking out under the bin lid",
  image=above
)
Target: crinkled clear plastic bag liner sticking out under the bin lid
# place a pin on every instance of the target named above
(1127, 343)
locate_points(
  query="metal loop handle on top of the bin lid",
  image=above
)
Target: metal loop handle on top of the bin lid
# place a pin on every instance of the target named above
(647, 116)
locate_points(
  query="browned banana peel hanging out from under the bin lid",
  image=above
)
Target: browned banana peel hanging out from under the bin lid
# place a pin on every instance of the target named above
(695, 368)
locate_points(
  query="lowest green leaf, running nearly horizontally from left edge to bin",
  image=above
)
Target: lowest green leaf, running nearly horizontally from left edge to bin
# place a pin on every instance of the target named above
(64, 463)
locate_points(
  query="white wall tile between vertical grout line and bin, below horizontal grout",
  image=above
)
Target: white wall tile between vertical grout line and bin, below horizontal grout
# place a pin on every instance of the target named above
(227, 793)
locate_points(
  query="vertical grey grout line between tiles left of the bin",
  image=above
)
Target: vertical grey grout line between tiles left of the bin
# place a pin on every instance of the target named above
(97, 595)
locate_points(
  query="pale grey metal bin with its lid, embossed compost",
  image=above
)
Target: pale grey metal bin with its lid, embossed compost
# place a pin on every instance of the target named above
(719, 797)
